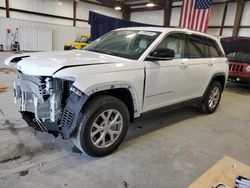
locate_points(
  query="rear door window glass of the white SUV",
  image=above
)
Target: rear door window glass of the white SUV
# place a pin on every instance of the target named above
(196, 47)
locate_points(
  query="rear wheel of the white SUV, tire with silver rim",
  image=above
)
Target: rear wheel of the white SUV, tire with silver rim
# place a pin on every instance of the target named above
(212, 98)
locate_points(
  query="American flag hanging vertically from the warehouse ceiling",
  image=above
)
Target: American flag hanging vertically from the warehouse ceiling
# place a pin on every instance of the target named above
(195, 14)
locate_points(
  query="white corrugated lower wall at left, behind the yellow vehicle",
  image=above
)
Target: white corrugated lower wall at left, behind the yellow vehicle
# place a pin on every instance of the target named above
(60, 34)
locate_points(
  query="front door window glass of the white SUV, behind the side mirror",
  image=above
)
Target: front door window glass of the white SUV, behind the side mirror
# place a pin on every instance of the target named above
(175, 42)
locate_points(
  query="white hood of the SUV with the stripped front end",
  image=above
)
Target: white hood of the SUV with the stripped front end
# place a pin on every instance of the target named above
(47, 63)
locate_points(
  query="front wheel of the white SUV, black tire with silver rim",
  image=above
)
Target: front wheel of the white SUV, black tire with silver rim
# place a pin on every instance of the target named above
(103, 125)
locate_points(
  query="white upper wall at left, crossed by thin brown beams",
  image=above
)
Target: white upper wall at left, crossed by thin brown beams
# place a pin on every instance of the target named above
(56, 7)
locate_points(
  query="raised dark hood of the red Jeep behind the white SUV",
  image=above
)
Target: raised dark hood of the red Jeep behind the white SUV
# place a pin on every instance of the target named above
(236, 44)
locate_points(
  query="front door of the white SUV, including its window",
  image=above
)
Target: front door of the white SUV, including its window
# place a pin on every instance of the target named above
(165, 83)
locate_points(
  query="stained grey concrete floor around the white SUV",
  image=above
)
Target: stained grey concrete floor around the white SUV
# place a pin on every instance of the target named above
(168, 150)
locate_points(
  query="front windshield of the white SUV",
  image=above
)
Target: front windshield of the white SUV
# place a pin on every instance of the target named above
(129, 44)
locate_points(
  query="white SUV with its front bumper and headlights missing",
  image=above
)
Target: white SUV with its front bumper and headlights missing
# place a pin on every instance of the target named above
(93, 94)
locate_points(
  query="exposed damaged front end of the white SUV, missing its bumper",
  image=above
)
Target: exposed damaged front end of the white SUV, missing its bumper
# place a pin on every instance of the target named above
(49, 104)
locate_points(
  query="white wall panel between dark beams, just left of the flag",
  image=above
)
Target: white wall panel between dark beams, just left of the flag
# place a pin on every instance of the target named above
(149, 17)
